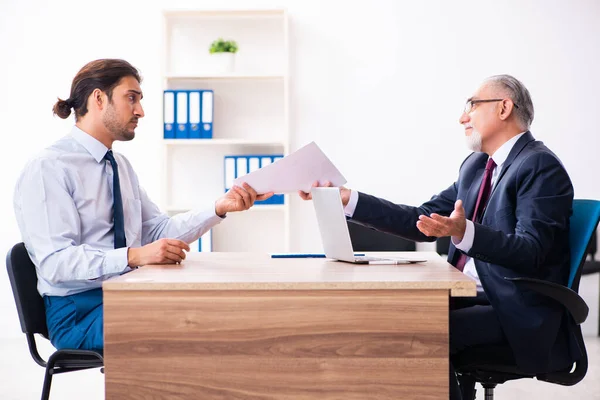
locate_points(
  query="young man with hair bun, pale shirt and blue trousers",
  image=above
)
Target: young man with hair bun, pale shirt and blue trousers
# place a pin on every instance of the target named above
(84, 216)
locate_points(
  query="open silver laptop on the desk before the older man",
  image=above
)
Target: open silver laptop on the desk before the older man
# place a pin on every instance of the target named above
(334, 230)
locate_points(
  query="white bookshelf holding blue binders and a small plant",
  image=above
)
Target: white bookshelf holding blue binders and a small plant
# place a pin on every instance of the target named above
(251, 116)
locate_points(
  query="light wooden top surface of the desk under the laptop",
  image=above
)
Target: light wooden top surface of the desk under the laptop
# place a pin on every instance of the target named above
(258, 271)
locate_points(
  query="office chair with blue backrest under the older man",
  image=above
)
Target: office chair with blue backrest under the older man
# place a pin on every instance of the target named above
(493, 365)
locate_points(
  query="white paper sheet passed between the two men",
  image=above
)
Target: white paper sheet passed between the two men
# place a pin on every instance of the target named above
(294, 172)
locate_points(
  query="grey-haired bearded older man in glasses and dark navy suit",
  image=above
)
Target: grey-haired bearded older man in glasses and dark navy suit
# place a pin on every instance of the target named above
(508, 216)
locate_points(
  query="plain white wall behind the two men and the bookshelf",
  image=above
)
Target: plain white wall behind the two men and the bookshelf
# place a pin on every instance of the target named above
(379, 85)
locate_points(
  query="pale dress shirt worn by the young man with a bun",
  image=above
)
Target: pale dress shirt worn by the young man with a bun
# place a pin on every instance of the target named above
(64, 207)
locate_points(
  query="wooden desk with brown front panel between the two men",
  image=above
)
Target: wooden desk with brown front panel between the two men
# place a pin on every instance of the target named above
(245, 326)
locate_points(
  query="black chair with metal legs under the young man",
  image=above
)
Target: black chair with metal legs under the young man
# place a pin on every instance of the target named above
(32, 315)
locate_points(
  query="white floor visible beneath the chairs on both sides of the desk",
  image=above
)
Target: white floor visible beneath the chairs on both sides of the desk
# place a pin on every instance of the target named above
(21, 378)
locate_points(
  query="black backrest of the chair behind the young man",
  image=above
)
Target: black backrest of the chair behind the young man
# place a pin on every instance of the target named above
(23, 279)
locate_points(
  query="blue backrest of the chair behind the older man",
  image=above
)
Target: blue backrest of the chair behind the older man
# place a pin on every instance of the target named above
(586, 214)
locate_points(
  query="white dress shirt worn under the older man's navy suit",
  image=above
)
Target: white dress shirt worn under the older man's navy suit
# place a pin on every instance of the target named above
(465, 245)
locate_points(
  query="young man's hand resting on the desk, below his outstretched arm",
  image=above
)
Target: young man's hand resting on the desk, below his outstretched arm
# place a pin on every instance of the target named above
(163, 251)
